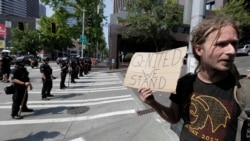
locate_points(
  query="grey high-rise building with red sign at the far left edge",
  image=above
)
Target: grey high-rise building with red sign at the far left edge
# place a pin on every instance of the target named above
(13, 12)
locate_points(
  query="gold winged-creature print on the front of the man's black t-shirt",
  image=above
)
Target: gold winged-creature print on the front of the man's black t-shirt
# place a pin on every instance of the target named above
(208, 117)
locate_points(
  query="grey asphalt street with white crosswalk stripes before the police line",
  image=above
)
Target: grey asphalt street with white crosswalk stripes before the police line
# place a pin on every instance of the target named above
(96, 100)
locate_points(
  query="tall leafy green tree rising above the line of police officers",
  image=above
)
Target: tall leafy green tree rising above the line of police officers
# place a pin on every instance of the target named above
(94, 33)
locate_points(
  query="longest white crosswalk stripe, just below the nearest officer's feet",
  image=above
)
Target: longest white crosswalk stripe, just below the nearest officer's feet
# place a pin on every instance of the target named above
(69, 119)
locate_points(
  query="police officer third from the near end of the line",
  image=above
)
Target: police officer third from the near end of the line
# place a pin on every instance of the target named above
(64, 70)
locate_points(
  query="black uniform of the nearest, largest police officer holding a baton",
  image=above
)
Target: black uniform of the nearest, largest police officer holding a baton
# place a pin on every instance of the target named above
(19, 90)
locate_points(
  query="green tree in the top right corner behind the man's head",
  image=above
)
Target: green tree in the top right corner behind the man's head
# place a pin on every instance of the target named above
(237, 10)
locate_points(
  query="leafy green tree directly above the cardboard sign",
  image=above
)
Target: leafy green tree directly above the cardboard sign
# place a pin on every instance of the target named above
(153, 20)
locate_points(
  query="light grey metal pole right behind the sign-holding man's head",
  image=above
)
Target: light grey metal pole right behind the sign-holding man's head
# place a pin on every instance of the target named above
(196, 15)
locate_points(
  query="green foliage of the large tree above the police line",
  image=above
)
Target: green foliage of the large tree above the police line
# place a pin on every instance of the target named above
(94, 34)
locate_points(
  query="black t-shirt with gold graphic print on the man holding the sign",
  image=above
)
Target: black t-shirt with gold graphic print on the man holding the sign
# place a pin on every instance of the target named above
(210, 113)
